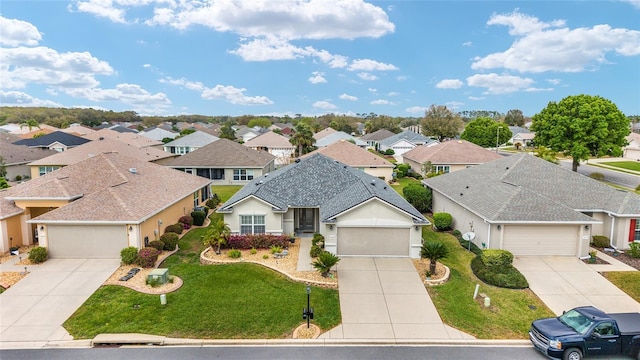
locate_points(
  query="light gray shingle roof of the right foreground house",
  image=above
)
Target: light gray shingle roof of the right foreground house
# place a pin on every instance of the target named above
(524, 188)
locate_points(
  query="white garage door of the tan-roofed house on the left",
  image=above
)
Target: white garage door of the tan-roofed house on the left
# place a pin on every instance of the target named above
(90, 242)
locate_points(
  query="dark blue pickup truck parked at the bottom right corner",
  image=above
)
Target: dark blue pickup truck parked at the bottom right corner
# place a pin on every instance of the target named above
(587, 331)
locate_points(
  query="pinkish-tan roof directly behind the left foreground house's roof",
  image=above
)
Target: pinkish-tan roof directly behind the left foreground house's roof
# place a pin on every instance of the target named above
(105, 145)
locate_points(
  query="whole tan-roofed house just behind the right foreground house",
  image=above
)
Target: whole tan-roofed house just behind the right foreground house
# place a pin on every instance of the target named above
(446, 157)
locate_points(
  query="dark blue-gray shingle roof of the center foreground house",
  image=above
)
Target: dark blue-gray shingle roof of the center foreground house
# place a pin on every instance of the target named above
(318, 181)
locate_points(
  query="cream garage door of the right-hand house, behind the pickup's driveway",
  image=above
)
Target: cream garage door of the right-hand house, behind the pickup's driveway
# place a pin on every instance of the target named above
(541, 240)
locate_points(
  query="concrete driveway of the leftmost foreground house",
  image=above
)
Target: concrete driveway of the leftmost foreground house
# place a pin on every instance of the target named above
(34, 309)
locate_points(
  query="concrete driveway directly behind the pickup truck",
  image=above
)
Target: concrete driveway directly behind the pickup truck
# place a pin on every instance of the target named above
(563, 283)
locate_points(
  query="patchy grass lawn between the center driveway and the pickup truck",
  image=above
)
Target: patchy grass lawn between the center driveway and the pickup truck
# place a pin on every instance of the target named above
(508, 317)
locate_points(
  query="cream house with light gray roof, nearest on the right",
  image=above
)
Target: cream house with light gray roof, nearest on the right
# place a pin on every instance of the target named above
(529, 206)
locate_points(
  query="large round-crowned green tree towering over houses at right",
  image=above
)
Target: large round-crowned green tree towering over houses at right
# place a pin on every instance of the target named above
(581, 126)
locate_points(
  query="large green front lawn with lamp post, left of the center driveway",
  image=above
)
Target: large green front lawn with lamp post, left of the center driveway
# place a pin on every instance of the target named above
(216, 302)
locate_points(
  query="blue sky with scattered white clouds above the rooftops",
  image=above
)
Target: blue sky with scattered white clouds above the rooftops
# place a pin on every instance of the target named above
(279, 57)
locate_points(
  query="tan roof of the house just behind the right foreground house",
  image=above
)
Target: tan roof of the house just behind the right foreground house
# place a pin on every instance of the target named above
(451, 152)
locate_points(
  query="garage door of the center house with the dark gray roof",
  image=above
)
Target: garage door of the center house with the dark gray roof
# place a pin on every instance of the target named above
(373, 241)
